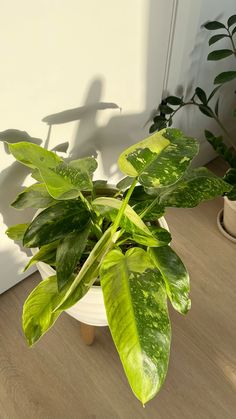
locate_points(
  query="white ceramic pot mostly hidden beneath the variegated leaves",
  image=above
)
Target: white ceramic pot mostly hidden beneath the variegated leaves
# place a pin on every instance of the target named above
(90, 309)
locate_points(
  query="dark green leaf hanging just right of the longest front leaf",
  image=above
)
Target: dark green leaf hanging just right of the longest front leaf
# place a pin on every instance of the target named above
(175, 276)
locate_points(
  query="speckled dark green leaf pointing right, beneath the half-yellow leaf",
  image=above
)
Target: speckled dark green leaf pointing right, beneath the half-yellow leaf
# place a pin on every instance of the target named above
(196, 186)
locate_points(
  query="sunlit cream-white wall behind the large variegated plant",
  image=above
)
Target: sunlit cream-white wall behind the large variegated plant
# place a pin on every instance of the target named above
(63, 54)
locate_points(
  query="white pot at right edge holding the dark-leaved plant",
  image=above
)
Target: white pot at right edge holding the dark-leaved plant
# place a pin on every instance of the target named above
(226, 219)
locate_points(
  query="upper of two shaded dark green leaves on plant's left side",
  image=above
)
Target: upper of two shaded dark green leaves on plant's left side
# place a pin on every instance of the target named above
(56, 222)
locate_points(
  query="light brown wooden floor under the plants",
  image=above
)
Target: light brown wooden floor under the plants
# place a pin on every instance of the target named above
(62, 379)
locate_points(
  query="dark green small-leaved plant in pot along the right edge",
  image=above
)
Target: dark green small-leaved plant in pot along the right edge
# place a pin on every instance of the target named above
(209, 105)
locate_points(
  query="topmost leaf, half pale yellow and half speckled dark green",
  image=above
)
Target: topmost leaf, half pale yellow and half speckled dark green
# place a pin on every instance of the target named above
(160, 159)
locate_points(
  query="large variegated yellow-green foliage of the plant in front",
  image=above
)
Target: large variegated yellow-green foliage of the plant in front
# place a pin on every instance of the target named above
(94, 235)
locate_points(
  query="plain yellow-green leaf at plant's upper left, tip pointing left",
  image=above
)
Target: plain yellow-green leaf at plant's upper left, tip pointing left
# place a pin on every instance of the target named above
(34, 156)
